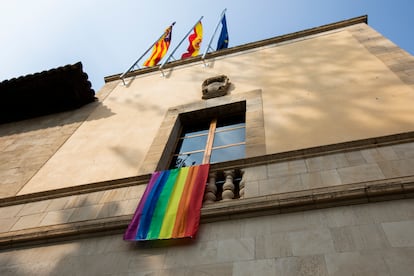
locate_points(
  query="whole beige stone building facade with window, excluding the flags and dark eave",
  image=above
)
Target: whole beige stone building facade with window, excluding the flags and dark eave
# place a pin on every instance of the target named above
(320, 183)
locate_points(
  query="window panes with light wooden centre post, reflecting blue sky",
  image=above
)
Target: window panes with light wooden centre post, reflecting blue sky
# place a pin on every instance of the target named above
(210, 141)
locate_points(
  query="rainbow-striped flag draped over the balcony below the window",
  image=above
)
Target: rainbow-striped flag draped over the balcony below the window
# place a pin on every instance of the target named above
(170, 206)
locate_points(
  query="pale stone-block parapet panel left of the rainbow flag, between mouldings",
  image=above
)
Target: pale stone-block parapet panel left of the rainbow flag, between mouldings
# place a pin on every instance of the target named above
(71, 209)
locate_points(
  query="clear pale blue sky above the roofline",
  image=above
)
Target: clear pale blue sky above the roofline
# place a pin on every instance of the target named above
(108, 36)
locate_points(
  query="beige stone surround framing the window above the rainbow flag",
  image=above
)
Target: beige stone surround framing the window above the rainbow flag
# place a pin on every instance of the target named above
(159, 153)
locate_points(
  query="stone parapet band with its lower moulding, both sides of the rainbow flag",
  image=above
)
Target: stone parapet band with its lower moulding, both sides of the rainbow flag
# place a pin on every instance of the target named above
(326, 180)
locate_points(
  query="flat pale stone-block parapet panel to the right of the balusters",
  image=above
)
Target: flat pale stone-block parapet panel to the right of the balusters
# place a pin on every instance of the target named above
(330, 170)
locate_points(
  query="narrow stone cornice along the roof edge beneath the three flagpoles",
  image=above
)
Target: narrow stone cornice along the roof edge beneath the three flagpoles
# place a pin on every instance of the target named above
(248, 46)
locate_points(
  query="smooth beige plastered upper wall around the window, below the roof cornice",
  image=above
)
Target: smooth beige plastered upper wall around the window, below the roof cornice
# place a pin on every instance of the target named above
(317, 90)
